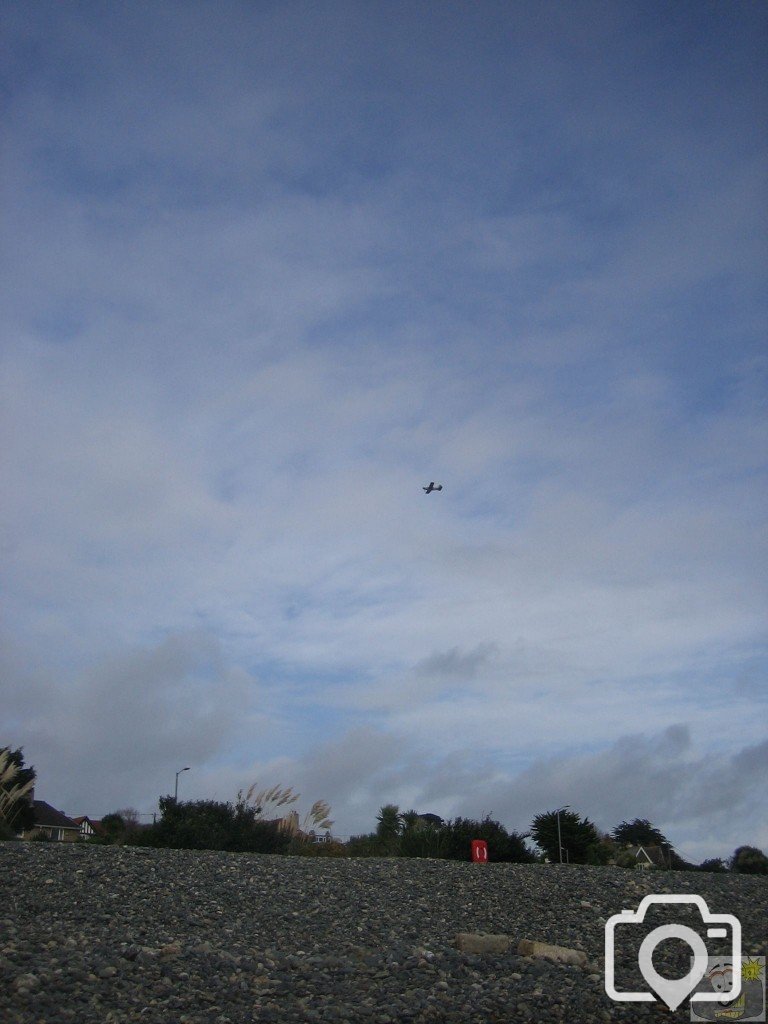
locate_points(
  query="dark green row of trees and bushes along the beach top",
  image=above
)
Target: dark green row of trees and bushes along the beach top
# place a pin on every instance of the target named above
(257, 823)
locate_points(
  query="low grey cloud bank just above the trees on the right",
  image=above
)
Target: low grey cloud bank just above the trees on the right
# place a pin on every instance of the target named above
(706, 801)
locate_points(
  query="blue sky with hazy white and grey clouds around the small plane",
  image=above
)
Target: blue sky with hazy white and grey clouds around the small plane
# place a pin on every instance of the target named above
(269, 270)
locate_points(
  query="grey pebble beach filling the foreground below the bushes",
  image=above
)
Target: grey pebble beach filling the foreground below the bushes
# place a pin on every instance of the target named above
(118, 934)
